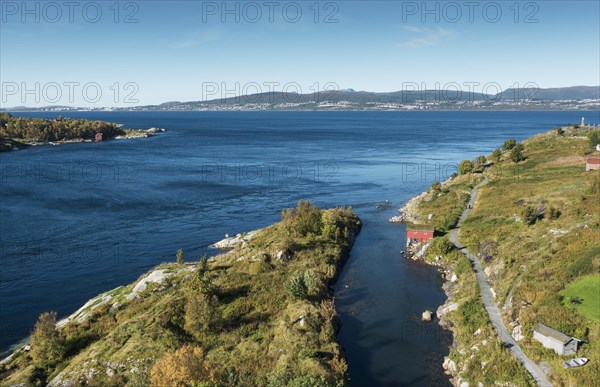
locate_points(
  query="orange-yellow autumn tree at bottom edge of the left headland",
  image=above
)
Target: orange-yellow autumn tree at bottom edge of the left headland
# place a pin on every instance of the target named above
(184, 367)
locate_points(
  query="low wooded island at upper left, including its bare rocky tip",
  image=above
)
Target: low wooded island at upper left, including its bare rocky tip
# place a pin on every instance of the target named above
(18, 133)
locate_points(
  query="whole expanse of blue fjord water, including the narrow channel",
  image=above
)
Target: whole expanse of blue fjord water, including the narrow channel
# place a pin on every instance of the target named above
(80, 219)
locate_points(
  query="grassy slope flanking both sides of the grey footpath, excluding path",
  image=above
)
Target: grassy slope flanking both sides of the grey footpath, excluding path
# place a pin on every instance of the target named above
(536, 229)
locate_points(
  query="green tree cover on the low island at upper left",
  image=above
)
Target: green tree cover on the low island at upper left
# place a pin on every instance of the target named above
(44, 130)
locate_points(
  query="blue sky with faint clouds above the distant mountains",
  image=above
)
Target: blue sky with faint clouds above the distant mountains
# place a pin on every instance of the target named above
(156, 51)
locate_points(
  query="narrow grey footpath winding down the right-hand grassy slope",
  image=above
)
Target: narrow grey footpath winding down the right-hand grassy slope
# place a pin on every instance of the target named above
(488, 301)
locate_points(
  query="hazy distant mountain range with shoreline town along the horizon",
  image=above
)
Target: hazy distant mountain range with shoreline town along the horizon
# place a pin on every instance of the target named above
(575, 97)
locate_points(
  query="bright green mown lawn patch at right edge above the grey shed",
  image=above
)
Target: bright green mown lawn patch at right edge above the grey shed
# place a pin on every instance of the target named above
(584, 296)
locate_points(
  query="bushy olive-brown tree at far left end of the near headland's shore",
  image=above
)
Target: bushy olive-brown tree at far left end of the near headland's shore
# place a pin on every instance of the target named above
(47, 344)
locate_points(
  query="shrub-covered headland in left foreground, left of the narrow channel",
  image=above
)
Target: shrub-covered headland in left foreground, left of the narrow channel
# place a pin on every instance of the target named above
(261, 314)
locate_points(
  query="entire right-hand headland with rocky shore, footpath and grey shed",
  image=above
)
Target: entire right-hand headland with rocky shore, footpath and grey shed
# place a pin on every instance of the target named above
(518, 240)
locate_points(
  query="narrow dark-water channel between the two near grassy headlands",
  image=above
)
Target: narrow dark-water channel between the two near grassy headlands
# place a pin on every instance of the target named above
(380, 298)
